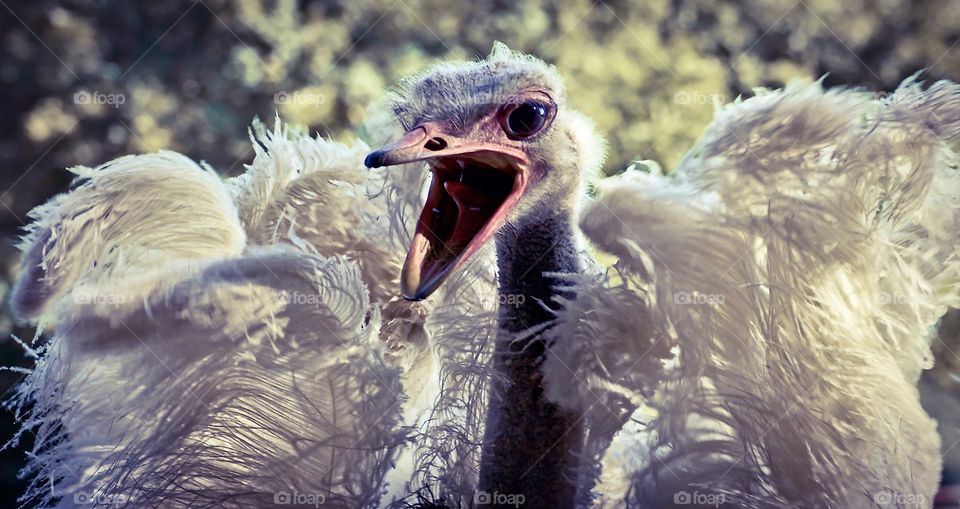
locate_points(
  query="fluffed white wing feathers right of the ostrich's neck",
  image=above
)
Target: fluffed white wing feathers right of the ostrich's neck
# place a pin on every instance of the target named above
(798, 259)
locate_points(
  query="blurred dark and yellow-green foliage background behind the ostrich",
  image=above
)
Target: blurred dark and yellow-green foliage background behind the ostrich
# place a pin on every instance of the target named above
(85, 81)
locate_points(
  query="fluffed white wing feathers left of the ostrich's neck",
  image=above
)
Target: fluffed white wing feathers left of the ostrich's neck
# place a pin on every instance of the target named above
(226, 381)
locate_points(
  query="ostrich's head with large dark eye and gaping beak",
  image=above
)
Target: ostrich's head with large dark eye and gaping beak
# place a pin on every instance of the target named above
(503, 148)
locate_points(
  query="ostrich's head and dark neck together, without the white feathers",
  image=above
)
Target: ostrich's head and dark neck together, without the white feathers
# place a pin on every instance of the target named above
(509, 166)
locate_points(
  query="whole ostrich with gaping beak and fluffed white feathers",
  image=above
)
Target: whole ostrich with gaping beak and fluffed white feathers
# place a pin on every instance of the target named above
(757, 343)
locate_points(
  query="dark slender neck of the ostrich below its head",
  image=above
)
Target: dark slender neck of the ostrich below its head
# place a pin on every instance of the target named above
(531, 444)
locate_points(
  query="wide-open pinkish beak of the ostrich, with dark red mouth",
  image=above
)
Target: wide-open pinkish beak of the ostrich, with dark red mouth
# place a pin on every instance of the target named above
(474, 187)
